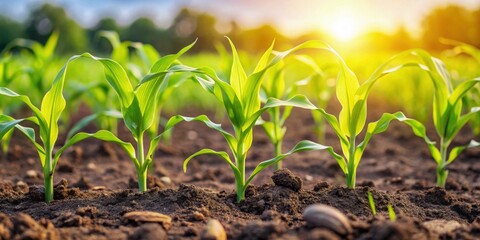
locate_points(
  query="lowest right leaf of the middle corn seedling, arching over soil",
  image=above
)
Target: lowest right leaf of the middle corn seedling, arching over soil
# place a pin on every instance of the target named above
(304, 145)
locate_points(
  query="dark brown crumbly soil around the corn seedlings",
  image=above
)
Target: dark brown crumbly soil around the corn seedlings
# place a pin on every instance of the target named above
(96, 186)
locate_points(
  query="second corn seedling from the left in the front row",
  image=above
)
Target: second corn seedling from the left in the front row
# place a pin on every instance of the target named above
(139, 107)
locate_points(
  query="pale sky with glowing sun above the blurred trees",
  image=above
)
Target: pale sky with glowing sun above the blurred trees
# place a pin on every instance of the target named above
(290, 16)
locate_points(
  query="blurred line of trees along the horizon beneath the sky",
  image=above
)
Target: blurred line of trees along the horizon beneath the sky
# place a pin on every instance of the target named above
(453, 22)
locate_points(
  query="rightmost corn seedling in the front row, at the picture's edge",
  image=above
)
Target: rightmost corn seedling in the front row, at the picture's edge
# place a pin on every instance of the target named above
(448, 118)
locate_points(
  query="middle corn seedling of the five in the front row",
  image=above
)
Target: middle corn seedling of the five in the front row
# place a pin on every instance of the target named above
(240, 96)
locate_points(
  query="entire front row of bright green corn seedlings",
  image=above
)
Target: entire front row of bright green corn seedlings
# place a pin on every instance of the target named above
(143, 89)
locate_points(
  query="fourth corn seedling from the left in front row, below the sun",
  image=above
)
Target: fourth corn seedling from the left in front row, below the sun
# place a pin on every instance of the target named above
(353, 115)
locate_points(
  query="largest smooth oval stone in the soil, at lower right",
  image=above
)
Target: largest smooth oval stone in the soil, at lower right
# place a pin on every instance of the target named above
(324, 216)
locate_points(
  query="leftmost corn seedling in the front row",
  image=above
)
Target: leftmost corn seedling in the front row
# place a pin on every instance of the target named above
(46, 117)
